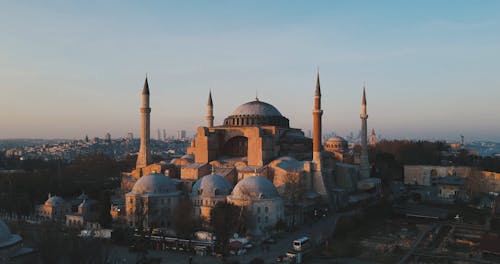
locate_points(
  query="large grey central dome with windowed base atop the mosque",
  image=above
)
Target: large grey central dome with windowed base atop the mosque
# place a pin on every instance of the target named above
(256, 113)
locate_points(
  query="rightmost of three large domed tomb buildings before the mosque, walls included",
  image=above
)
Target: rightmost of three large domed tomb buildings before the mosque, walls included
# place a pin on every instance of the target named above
(261, 200)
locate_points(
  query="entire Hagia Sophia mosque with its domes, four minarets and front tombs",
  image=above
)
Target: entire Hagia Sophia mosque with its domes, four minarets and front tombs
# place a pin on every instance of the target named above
(255, 160)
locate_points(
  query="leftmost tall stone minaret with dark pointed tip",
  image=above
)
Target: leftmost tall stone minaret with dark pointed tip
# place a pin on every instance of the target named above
(144, 157)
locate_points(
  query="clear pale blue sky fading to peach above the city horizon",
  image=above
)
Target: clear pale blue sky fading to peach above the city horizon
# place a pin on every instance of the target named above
(75, 68)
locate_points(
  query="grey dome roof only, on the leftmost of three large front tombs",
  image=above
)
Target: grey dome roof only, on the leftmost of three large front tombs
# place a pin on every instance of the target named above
(154, 183)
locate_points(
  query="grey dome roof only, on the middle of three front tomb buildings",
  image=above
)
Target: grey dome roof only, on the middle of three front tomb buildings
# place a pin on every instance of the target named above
(212, 185)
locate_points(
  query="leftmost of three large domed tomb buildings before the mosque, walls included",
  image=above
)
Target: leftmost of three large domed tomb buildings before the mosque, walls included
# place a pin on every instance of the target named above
(152, 201)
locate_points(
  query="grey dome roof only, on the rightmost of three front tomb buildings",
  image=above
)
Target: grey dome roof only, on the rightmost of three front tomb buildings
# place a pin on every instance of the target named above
(255, 188)
